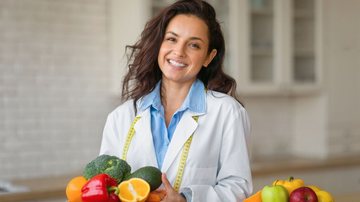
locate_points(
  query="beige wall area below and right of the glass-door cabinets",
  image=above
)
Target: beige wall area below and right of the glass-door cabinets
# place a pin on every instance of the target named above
(324, 123)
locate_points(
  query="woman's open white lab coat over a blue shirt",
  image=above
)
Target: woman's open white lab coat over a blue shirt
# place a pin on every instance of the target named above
(217, 167)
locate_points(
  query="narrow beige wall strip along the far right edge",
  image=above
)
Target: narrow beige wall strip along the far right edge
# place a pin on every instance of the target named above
(342, 84)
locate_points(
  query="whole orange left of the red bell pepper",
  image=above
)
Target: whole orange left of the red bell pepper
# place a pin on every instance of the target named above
(73, 189)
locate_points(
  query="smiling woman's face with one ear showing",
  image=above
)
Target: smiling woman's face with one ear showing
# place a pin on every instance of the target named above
(184, 50)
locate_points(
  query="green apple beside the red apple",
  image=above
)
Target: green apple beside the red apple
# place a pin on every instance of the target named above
(275, 193)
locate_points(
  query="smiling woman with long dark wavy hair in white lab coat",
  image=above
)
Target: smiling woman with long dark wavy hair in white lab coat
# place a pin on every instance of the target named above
(180, 109)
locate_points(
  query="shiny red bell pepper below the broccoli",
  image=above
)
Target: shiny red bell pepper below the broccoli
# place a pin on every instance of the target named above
(100, 188)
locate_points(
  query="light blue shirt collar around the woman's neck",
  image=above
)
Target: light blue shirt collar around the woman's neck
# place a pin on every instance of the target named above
(194, 101)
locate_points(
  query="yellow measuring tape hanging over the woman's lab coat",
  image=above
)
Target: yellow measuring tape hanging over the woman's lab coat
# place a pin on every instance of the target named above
(183, 158)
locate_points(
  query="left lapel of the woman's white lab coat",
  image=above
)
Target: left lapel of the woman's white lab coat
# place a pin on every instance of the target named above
(144, 136)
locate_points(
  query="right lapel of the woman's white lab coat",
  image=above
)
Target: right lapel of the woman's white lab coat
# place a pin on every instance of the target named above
(183, 131)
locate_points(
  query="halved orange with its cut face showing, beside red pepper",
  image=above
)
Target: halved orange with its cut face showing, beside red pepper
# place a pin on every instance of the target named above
(134, 190)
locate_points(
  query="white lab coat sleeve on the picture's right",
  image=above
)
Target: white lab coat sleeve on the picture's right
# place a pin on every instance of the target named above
(234, 182)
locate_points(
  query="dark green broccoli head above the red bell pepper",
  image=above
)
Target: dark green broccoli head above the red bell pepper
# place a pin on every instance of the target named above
(111, 165)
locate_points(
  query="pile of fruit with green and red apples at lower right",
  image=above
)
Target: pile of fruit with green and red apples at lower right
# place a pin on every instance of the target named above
(290, 190)
